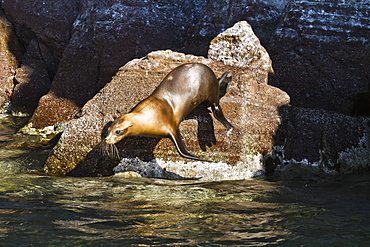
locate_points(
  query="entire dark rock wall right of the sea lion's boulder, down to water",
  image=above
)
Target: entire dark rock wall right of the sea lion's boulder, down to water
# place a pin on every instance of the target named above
(320, 53)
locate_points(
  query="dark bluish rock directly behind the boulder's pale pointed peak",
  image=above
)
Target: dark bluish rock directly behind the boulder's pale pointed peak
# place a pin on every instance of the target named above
(219, 15)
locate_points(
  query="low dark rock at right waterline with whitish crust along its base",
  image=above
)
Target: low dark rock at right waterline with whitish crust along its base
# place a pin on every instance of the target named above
(326, 140)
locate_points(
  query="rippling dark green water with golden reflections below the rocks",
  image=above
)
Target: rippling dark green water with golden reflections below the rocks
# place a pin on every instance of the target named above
(37, 210)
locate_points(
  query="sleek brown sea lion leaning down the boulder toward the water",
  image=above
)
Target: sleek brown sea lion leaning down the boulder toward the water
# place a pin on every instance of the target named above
(177, 95)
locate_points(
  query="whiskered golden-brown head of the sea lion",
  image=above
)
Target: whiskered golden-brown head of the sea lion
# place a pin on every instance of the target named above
(119, 129)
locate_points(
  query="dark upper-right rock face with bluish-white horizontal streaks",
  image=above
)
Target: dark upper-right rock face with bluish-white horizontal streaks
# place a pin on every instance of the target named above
(321, 54)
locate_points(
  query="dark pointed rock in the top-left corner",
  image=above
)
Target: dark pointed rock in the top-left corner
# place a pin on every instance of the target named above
(47, 22)
